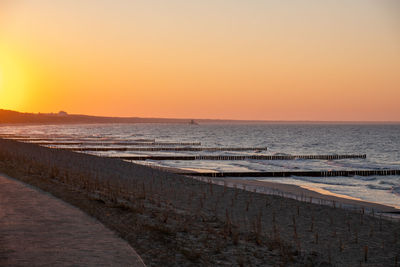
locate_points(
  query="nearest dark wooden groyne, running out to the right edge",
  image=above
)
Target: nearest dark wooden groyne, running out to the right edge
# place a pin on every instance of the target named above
(297, 173)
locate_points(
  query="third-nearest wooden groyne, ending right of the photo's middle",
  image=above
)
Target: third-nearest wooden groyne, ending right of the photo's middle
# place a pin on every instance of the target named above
(164, 148)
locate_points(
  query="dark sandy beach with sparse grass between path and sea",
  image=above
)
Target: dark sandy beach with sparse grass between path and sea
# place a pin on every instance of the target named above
(174, 220)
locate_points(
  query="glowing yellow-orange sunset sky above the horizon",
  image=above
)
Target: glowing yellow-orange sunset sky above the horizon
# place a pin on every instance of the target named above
(268, 60)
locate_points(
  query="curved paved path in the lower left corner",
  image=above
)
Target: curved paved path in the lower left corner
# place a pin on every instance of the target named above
(37, 229)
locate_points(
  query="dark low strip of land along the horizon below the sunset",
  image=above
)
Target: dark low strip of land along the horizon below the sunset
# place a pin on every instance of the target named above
(14, 117)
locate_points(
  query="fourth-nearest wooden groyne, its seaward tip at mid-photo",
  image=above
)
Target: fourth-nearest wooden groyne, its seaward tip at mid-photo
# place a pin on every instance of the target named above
(109, 143)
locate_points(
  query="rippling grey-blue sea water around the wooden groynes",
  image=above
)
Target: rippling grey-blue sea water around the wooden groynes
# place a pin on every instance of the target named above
(381, 143)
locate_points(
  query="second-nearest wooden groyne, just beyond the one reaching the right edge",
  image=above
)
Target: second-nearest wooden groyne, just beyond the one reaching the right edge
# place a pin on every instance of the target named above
(246, 157)
